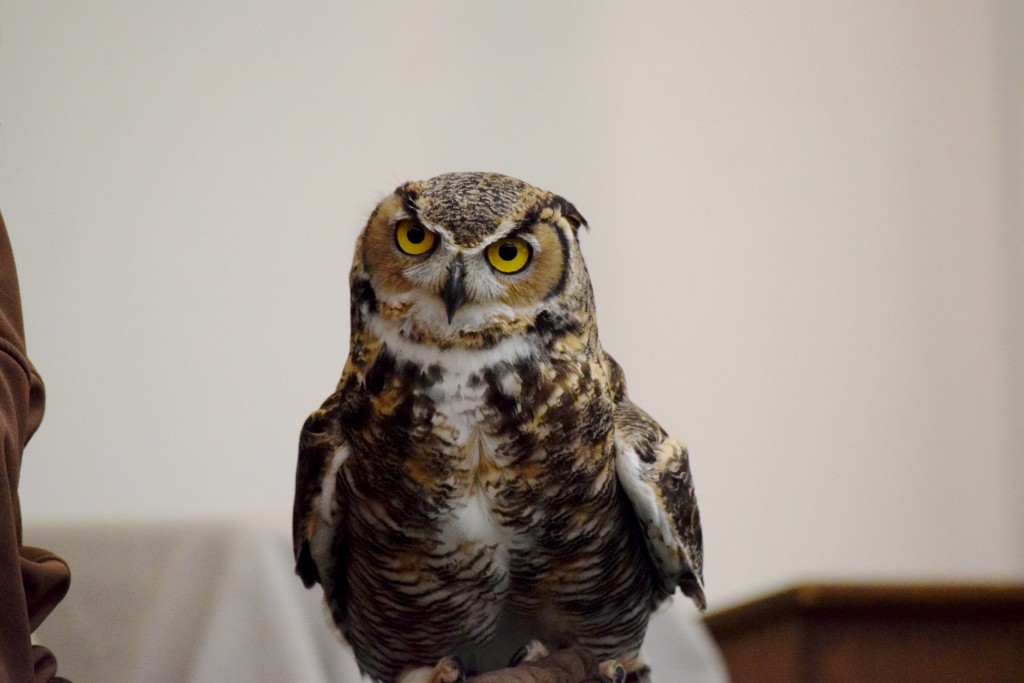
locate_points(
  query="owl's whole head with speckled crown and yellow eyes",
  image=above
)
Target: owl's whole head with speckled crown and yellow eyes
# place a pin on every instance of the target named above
(464, 260)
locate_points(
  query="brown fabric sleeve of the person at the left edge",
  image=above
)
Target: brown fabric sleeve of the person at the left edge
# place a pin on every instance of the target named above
(32, 581)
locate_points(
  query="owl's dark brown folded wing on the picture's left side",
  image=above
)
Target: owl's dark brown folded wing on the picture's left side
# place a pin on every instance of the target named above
(318, 513)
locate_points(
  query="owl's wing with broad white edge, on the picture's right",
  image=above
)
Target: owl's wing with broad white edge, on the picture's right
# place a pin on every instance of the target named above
(655, 472)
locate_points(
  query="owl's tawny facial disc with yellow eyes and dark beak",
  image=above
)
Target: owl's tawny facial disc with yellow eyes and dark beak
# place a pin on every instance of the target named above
(453, 275)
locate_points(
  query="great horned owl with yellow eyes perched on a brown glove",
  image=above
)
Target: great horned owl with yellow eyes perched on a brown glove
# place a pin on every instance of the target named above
(480, 479)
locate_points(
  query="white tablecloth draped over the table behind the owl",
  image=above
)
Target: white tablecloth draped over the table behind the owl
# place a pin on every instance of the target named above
(220, 602)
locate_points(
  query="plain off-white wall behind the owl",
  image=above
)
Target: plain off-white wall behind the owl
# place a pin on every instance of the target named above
(801, 221)
